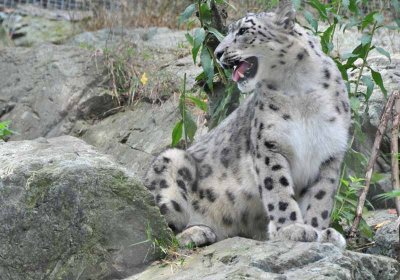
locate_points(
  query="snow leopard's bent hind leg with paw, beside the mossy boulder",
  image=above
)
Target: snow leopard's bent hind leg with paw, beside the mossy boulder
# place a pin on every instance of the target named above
(172, 178)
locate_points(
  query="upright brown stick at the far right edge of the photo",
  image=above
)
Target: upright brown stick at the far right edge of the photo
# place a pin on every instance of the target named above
(395, 151)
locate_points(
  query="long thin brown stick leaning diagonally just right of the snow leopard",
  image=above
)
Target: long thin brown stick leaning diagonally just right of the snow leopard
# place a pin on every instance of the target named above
(370, 167)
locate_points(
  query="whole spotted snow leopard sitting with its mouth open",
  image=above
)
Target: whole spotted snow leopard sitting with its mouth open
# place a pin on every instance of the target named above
(271, 168)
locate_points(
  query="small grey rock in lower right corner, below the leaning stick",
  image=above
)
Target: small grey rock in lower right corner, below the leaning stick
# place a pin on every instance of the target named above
(387, 234)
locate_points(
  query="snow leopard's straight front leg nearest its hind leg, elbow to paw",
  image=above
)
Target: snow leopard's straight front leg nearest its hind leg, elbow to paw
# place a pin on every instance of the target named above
(277, 193)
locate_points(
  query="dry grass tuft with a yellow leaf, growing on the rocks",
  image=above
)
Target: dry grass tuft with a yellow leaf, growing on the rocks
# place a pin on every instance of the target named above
(130, 76)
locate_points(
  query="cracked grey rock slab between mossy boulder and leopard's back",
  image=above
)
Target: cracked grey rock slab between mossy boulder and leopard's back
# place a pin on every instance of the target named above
(133, 137)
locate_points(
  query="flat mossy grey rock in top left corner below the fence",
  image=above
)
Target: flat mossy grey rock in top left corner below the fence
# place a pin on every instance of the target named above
(27, 31)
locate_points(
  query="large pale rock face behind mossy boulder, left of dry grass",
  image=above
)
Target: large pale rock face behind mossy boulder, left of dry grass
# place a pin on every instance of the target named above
(45, 89)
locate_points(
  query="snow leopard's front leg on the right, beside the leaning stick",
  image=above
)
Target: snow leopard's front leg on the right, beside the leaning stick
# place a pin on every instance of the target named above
(316, 201)
